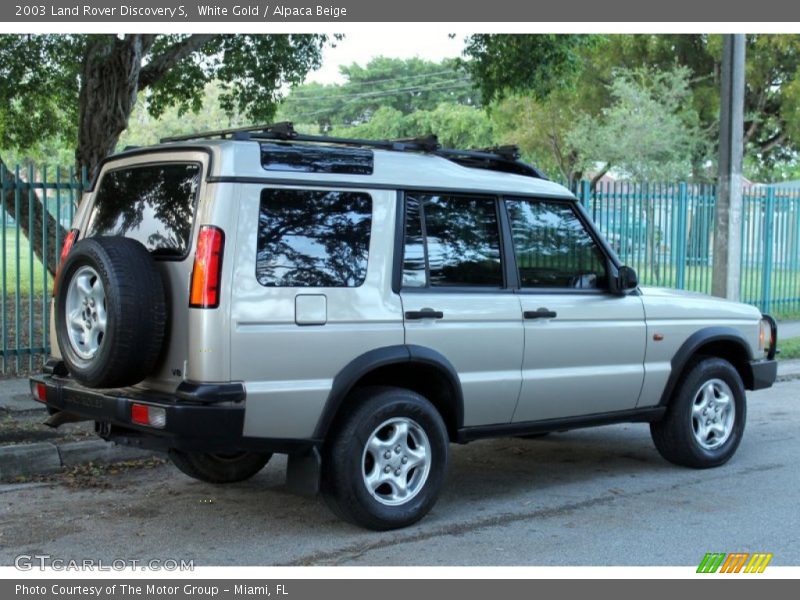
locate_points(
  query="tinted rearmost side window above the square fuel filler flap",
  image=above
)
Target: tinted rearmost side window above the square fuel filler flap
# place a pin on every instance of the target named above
(313, 238)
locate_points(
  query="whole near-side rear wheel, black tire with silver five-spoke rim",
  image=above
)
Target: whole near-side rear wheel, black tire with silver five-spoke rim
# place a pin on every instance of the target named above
(386, 462)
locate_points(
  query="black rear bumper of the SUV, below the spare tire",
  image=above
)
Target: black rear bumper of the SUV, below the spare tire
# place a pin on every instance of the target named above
(199, 418)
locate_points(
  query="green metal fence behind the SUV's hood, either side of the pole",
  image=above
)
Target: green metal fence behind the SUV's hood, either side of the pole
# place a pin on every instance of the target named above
(666, 232)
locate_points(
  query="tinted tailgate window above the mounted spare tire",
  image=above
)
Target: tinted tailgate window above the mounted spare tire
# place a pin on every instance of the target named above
(153, 204)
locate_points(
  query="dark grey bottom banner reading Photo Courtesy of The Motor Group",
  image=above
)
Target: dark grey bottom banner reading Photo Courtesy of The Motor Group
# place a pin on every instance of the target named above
(385, 589)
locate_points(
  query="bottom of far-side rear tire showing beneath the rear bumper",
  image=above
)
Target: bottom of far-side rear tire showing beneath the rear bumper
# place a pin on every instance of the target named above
(219, 468)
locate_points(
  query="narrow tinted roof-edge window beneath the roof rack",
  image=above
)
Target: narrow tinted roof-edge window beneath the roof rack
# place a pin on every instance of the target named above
(316, 159)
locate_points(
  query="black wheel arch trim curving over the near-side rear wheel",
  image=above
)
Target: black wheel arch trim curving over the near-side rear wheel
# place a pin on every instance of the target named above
(362, 365)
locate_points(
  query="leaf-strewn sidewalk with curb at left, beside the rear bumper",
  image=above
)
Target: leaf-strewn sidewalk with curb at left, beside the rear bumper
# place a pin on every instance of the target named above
(28, 448)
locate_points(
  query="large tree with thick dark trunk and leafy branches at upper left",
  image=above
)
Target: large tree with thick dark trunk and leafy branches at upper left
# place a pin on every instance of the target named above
(84, 87)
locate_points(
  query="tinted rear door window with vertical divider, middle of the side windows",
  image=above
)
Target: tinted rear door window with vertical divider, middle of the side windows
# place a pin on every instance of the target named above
(452, 241)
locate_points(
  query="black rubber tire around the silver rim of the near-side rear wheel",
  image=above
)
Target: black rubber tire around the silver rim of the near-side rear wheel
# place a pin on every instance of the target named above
(345, 458)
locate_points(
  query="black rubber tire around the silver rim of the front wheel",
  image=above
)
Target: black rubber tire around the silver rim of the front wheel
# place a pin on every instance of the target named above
(674, 435)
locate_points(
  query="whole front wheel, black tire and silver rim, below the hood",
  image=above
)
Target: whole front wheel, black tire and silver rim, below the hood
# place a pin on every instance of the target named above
(705, 419)
